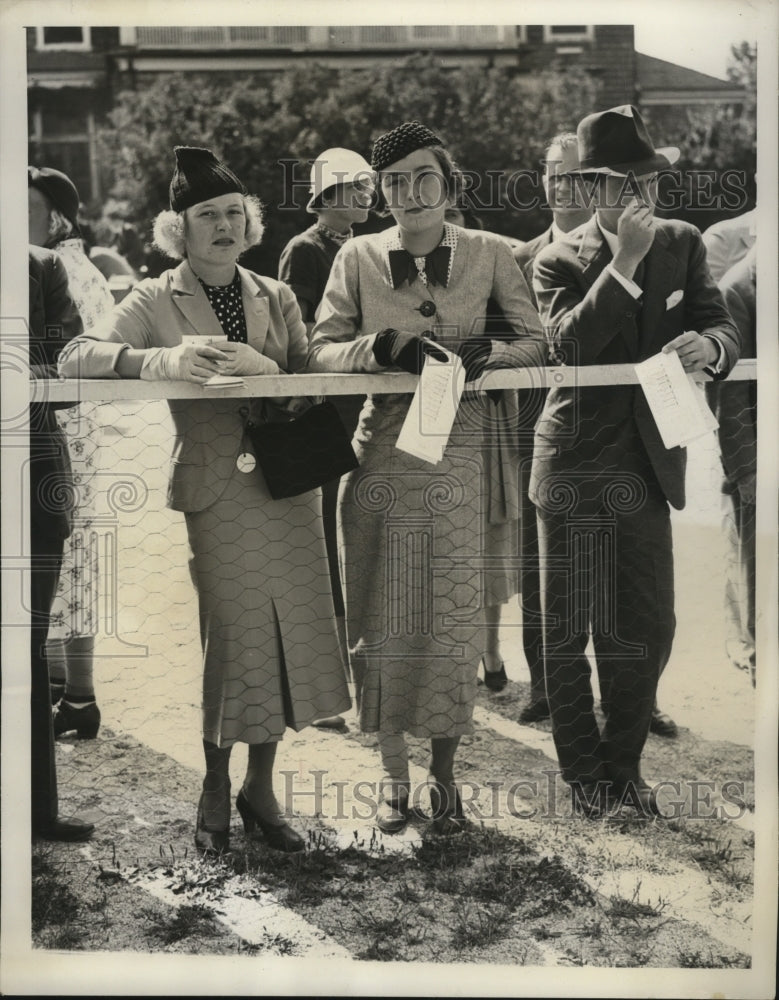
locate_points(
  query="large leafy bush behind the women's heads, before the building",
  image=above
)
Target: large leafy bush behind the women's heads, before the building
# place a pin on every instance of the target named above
(269, 127)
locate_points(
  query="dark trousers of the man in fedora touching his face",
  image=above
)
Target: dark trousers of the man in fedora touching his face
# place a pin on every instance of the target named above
(609, 573)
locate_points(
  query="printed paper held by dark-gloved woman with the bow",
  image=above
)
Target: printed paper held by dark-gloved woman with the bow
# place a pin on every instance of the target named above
(430, 417)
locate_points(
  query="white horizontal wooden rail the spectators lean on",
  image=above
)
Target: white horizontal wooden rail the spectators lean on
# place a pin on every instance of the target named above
(338, 384)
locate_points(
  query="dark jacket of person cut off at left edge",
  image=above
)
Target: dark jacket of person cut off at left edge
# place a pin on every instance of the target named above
(54, 320)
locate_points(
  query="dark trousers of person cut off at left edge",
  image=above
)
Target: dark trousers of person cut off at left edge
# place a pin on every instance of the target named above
(46, 560)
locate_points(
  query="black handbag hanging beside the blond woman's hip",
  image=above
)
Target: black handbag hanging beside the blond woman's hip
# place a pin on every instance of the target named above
(303, 452)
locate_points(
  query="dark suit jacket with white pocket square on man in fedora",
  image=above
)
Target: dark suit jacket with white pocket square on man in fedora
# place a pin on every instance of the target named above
(589, 433)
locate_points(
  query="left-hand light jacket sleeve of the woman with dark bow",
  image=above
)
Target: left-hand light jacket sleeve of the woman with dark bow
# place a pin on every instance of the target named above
(337, 343)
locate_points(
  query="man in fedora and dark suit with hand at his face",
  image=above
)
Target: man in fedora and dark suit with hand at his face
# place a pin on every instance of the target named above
(617, 290)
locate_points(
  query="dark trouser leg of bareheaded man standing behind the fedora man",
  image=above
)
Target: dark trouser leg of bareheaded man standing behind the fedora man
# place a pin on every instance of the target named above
(530, 584)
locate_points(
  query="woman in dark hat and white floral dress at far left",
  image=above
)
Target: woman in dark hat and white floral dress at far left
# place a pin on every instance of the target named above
(53, 203)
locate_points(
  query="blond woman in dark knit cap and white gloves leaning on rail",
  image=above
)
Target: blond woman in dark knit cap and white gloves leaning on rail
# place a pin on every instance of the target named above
(270, 651)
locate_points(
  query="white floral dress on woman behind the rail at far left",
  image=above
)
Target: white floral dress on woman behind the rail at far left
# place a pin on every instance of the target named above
(74, 611)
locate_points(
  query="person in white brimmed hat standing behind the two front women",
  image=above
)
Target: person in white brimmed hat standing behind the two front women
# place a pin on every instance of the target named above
(341, 195)
